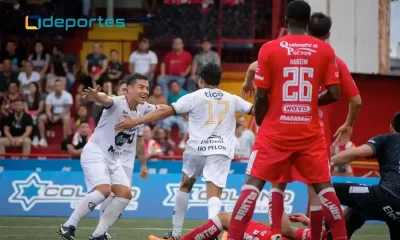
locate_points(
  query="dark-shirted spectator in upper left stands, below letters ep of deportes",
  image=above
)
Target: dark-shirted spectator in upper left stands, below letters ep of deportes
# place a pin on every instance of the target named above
(64, 65)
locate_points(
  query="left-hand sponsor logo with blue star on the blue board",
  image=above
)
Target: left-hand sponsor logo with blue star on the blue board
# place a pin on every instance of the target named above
(33, 190)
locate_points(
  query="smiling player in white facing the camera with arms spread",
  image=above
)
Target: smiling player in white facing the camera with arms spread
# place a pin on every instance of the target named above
(107, 158)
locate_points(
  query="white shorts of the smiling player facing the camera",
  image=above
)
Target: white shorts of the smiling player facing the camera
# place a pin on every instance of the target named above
(98, 172)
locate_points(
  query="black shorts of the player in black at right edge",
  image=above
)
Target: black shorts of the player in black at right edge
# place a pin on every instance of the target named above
(371, 200)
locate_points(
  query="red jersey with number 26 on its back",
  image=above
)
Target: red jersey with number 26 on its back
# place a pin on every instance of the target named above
(293, 68)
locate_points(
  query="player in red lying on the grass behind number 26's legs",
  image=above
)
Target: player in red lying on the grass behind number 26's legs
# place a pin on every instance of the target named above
(255, 230)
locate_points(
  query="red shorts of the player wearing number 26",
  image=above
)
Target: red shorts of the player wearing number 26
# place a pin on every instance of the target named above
(273, 165)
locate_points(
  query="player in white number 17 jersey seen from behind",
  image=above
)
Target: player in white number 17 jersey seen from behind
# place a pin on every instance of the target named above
(211, 145)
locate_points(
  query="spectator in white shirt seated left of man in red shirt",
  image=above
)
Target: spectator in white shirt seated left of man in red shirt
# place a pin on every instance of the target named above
(143, 61)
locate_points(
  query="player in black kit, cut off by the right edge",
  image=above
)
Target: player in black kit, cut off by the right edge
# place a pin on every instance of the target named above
(377, 202)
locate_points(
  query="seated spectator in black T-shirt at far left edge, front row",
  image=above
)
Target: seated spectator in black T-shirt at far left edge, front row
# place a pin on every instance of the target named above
(17, 129)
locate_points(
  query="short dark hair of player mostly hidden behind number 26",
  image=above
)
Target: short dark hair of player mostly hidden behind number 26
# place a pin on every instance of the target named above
(319, 25)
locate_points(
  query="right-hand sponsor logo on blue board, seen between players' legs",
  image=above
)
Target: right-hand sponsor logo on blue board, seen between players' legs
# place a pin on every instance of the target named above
(198, 198)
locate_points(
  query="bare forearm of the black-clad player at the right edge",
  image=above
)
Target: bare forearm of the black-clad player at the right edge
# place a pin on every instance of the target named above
(352, 154)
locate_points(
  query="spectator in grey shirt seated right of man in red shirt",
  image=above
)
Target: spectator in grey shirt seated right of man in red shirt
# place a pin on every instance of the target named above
(201, 59)
